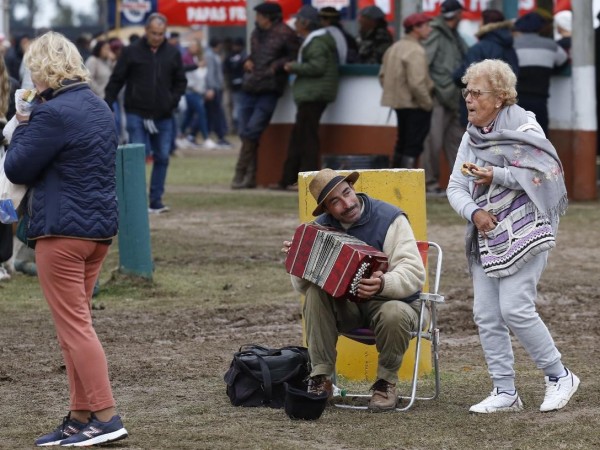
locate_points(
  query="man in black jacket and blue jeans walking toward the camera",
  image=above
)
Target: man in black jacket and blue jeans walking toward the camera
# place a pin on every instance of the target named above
(152, 72)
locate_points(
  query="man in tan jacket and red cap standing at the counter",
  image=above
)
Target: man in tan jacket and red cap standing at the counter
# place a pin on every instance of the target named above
(408, 89)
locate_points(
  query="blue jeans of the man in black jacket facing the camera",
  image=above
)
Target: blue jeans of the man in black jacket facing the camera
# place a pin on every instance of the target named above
(159, 145)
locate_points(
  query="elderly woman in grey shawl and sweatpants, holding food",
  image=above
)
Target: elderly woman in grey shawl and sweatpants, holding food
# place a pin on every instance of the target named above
(508, 184)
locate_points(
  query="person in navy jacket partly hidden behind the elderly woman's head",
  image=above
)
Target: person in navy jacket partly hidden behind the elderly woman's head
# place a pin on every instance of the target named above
(495, 42)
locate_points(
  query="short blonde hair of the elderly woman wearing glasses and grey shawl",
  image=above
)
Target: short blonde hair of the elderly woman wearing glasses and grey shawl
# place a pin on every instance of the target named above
(499, 75)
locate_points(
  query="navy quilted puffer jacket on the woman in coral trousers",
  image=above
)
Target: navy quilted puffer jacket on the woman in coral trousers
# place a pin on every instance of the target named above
(66, 154)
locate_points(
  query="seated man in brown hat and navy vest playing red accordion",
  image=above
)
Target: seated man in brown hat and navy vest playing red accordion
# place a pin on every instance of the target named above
(389, 303)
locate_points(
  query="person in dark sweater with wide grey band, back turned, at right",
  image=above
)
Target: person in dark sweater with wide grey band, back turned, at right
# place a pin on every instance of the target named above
(538, 57)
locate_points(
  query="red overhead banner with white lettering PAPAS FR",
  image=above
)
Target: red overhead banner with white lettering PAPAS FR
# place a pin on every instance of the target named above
(204, 12)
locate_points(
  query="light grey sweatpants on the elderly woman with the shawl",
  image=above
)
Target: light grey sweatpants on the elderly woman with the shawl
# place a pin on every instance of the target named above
(507, 304)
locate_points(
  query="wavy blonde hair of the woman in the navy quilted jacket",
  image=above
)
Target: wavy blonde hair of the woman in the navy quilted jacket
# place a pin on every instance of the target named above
(52, 58)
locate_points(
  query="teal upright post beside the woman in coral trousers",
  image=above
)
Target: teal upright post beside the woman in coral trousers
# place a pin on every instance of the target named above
(135, 255)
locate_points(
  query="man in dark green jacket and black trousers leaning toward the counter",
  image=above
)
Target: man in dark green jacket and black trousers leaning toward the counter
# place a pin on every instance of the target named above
(315, 84)
